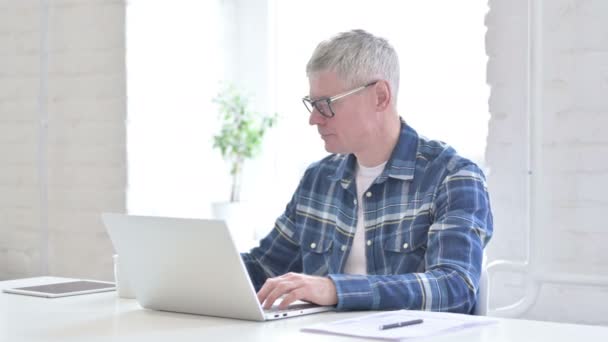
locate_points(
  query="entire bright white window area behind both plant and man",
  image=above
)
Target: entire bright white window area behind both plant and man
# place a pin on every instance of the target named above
(177, 53)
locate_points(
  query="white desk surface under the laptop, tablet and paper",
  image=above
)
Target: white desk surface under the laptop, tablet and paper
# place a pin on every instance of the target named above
(104, 317)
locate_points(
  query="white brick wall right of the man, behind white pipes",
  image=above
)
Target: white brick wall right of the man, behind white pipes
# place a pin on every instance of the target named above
(574, 166)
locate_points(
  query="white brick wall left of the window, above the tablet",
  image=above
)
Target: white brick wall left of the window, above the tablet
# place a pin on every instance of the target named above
(85, 145)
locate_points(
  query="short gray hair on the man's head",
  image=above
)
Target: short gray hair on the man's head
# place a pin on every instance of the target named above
(358, 57)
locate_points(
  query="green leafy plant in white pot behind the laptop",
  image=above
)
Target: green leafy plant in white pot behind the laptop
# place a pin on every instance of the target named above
(239, 139)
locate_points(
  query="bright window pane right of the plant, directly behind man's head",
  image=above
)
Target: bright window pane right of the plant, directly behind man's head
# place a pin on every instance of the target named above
(440, 43)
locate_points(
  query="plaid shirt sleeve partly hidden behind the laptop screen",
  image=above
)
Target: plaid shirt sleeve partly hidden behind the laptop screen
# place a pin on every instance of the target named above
(278, 253)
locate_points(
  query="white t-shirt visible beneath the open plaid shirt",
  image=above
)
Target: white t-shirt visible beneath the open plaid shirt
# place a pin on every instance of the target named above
(356, 263)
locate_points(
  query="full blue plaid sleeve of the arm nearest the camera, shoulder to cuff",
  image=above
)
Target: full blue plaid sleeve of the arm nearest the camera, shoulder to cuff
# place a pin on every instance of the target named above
(461, 228)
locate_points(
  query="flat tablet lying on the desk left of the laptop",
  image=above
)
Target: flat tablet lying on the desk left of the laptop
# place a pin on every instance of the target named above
(71, 288)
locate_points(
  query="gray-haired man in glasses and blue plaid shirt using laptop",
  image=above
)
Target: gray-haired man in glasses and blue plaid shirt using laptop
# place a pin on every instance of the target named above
(390, 220)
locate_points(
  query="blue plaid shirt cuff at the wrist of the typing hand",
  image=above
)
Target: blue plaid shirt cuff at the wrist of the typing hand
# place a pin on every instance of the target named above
(354, 292)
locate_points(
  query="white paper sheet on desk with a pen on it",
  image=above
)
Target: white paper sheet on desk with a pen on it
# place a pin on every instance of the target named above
(369, 326)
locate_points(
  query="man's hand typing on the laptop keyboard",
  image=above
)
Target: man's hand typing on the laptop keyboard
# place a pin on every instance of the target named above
(296, 286)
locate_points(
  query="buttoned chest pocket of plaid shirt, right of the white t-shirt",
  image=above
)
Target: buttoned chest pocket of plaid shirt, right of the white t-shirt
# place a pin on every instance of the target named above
(404, 249)
